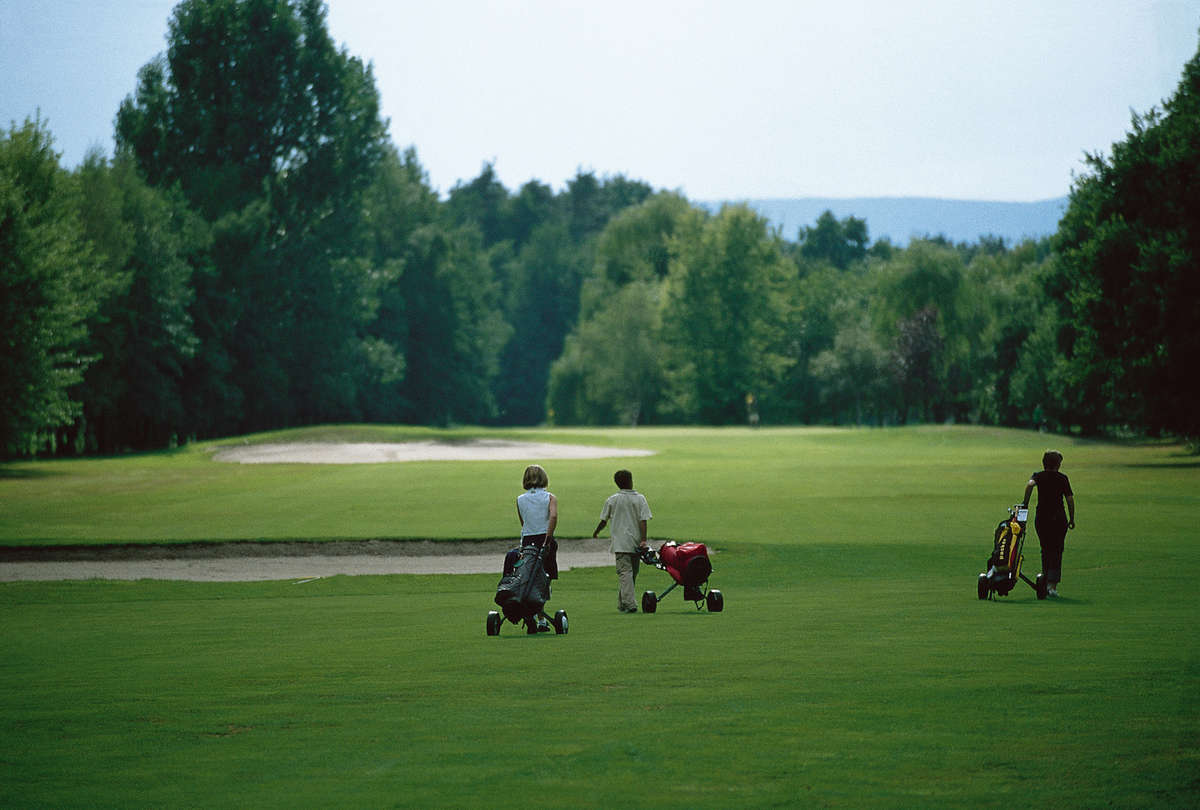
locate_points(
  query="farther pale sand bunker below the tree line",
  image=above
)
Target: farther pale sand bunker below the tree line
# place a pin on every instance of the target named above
(321, 453)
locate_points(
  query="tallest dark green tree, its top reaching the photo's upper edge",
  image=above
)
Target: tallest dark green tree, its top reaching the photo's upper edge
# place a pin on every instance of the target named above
(274, 135)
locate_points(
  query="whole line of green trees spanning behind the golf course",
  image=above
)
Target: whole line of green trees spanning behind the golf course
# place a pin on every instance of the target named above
(259, 255)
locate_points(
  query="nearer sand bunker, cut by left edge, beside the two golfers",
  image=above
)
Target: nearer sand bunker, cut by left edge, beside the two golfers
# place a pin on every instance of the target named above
(302, 562)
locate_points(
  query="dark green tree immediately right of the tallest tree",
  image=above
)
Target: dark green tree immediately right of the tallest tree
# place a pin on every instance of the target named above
(434, 344)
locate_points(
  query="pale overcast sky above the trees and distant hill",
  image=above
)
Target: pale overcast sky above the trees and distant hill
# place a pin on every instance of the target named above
(992, 100)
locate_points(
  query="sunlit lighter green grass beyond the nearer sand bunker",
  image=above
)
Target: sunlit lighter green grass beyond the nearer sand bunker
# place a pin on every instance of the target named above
(722, 485)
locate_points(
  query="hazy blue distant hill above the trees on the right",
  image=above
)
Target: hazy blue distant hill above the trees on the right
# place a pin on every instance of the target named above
(903, 219)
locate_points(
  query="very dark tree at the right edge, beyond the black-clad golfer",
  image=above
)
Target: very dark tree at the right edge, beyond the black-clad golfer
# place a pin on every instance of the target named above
(1130, 274)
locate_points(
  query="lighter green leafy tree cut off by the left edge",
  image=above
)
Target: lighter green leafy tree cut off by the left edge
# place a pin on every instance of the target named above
(50, 286)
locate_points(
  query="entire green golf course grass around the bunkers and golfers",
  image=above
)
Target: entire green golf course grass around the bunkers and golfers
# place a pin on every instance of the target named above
(854, 665)
